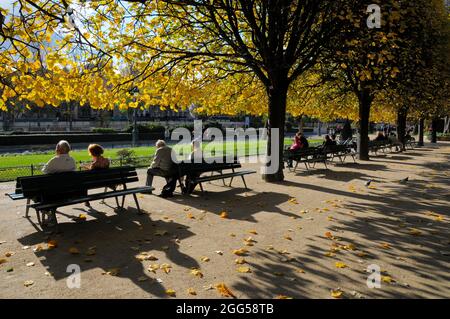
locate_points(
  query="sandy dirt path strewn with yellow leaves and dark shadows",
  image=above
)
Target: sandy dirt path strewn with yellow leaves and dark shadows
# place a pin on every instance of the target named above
(316, 232)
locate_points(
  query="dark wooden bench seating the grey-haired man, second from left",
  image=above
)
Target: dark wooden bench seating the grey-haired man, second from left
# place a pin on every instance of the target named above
(198, 172)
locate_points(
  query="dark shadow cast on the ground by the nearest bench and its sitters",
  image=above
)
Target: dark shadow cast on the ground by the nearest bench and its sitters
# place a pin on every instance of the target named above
(117, 240)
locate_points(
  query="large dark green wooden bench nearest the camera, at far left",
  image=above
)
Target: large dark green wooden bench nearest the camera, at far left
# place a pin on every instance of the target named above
(51, 191)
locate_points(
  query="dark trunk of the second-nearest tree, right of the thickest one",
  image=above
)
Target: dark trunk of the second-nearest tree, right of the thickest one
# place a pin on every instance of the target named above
(365, 101)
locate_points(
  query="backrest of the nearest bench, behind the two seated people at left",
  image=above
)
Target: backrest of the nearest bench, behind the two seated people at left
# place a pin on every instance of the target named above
(70, 184)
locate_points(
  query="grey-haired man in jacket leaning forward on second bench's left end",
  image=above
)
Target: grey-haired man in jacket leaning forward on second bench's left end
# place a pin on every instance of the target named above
(163, 165)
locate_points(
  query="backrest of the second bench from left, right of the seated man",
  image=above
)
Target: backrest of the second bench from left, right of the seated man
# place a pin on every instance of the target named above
(208, 165)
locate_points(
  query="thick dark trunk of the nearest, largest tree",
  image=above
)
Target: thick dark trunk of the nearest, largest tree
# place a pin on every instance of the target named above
(277, 118)
